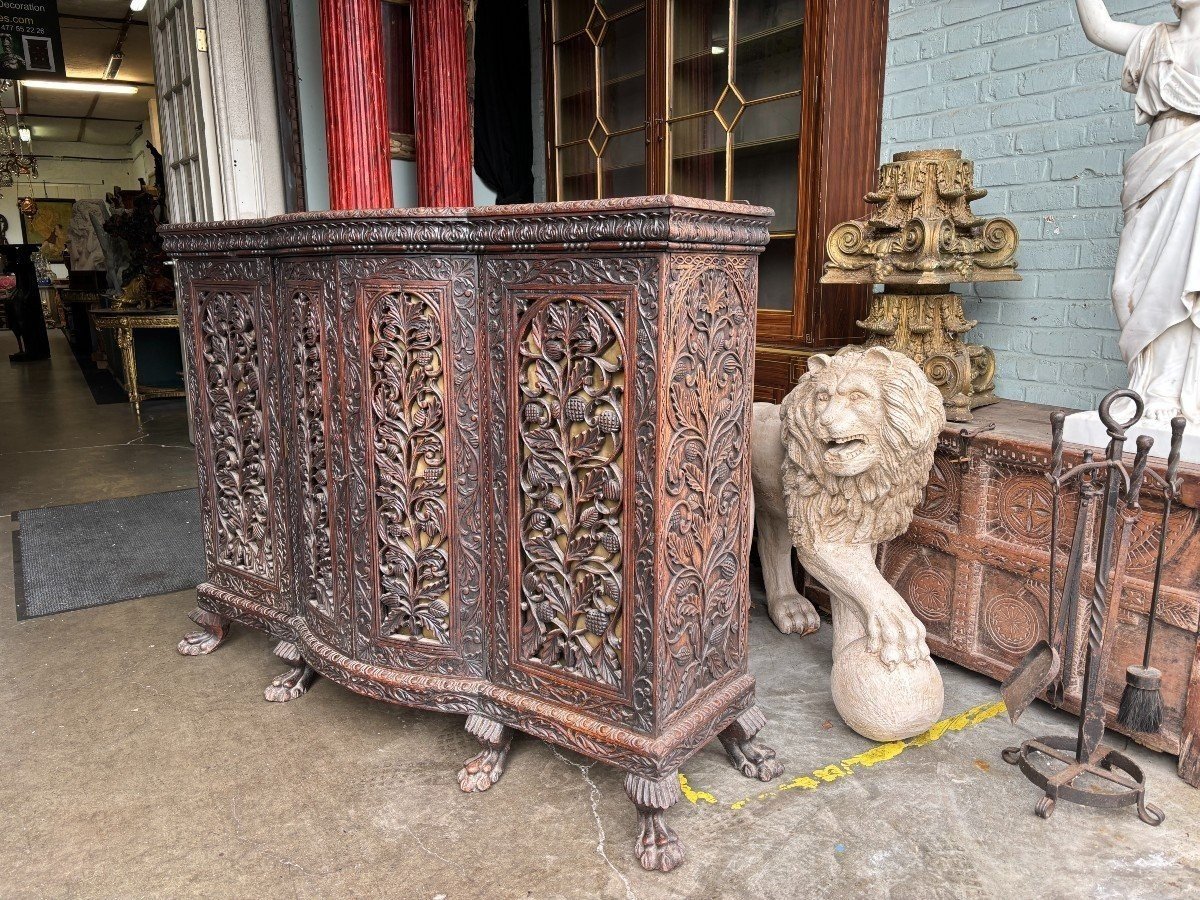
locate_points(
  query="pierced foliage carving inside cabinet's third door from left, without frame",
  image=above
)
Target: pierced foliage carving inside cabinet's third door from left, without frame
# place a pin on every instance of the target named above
(409, 435)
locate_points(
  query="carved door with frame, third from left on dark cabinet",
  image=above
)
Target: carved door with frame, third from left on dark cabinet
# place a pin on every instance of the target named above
(411, 398)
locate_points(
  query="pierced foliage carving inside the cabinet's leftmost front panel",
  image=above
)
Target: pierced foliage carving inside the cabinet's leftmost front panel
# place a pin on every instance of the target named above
(233, 388)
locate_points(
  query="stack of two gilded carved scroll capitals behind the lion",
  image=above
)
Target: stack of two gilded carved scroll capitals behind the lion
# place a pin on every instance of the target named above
(920, 238)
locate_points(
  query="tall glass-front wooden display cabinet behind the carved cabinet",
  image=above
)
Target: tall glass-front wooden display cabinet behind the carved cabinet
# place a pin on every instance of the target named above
(773, 103)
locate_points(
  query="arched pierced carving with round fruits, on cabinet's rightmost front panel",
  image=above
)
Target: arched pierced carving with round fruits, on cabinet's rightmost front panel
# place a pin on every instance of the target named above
(572, 388)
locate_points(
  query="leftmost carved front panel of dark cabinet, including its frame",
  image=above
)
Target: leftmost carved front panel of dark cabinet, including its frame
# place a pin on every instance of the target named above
(232, 347)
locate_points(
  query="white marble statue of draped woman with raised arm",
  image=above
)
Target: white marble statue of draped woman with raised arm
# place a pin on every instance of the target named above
(1156, 290)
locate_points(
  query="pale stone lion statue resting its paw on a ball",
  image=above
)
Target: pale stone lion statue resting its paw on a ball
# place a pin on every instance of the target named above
(839, 469)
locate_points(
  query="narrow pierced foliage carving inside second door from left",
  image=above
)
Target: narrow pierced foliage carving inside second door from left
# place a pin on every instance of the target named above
(308, 343)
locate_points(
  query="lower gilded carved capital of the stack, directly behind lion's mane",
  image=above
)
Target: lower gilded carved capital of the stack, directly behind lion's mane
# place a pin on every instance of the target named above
(927, 326)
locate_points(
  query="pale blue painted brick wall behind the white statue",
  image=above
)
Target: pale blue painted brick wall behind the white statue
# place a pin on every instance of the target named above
(1017, 87)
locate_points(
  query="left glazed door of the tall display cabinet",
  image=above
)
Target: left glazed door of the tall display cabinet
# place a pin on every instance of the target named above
(597, 128)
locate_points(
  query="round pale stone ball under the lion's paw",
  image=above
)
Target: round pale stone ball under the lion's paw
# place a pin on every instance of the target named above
(885, 705)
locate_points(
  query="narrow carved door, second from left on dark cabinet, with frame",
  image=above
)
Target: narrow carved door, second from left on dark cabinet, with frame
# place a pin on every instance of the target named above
(315, 425)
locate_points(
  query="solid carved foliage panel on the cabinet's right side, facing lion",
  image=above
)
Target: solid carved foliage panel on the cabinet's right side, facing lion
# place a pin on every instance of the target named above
(705, 483)
